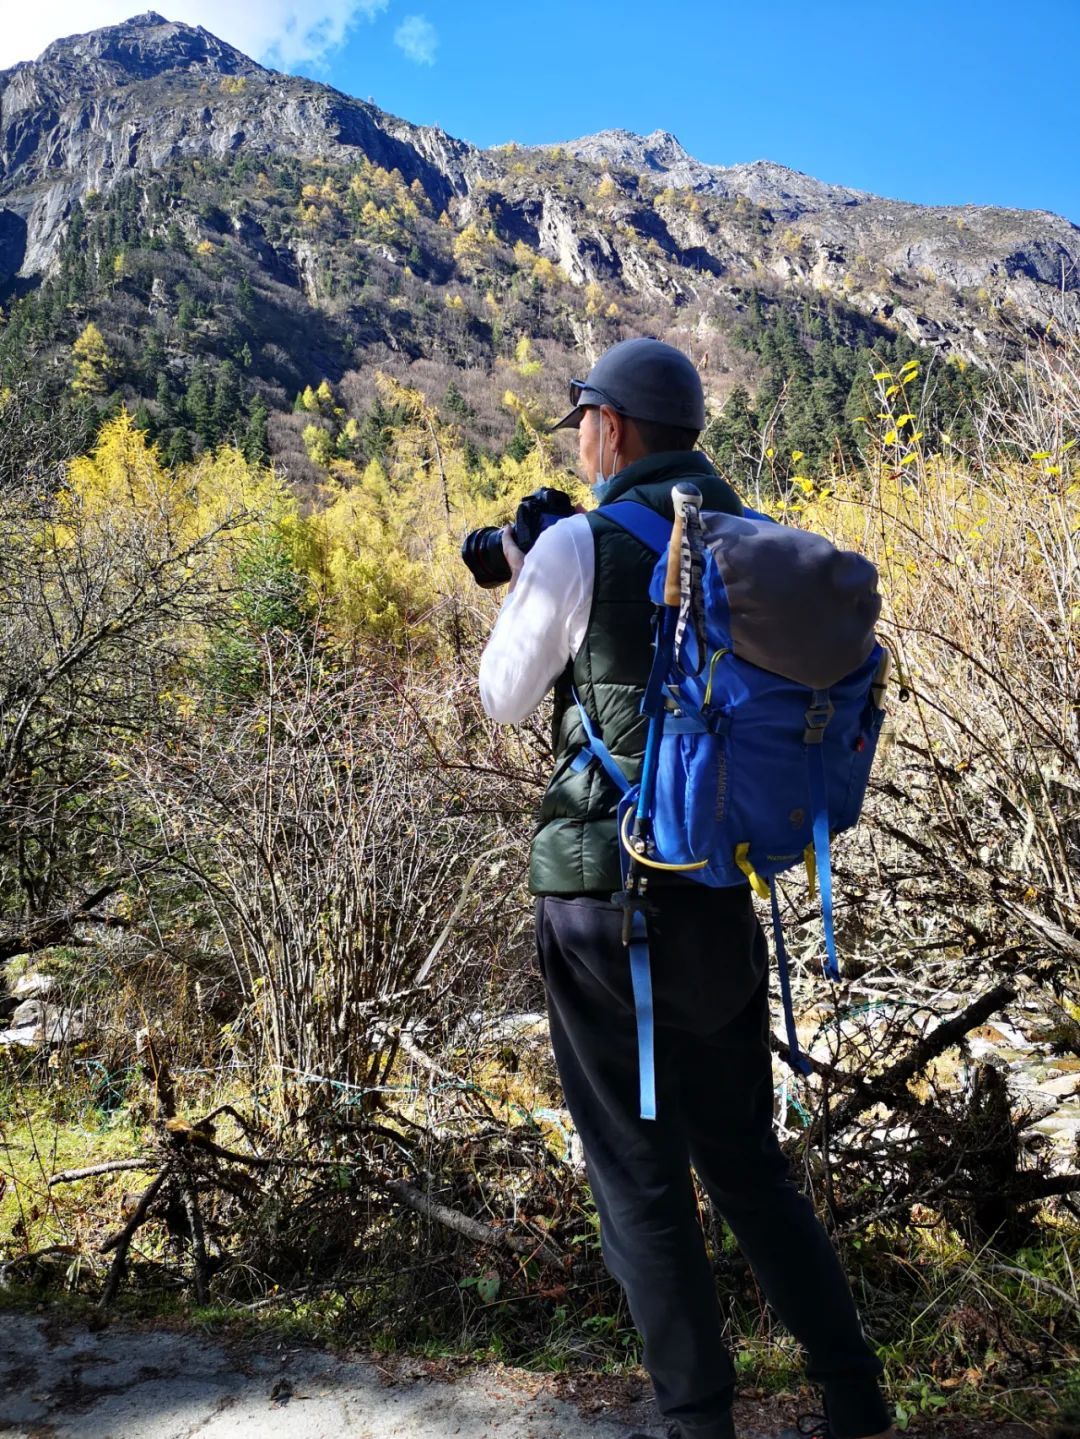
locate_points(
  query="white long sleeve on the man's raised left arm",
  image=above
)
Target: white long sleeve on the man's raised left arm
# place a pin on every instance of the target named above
(543, 622)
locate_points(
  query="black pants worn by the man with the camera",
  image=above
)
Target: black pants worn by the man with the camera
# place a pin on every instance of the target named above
(714, 1086)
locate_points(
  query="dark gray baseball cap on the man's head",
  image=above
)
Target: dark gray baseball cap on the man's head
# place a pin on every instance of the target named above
(645, 381)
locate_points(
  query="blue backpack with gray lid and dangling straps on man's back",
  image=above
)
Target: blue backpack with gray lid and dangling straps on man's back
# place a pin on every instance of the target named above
(766, 703)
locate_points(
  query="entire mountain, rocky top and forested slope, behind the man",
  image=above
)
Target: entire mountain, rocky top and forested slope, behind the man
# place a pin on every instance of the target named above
(198, 222)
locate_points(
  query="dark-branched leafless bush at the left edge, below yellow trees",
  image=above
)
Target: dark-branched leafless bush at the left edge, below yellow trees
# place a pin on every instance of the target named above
(91, 619)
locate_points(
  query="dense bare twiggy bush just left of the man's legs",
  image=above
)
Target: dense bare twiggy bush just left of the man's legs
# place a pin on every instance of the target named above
(352, 887)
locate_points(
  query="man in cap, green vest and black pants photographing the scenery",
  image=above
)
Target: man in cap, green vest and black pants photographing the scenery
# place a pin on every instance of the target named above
(579, 617)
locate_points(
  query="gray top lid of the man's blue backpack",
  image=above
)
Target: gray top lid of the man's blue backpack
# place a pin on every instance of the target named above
(800, 608)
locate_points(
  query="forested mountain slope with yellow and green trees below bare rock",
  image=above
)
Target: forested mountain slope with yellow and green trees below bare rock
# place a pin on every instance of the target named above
(182, 301)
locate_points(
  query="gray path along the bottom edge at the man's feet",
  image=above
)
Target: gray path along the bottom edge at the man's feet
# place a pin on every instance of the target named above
(65, 1381)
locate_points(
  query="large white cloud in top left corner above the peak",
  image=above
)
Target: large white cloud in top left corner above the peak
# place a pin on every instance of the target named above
(277, 32)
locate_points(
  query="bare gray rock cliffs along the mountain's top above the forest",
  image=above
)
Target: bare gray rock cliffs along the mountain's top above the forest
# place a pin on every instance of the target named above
(134, 99)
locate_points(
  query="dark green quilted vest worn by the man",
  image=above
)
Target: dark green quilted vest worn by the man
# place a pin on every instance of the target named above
(576, 848)
